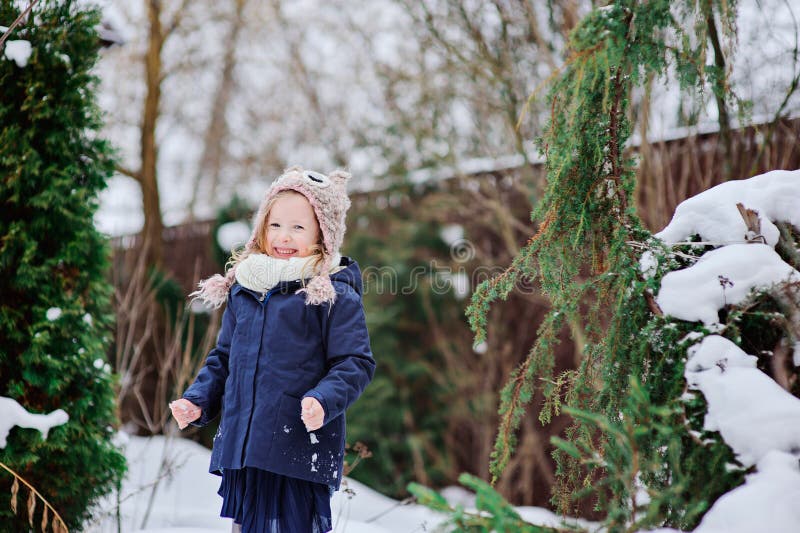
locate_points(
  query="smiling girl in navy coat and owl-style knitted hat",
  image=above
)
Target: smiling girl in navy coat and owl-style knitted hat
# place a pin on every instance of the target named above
(292, 354)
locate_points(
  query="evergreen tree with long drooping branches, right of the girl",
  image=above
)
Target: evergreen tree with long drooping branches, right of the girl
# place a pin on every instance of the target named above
(633, 428)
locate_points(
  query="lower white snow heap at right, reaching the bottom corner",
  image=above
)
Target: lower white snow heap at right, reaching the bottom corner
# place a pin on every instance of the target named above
(760, 421)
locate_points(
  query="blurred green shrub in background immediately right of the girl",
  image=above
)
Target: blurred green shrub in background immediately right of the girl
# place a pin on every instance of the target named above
(402, 414)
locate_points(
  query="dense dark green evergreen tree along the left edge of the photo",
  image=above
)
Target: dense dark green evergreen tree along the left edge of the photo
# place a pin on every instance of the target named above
(55, 311)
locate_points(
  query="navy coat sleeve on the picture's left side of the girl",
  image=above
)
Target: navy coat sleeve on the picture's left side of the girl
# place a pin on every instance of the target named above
(207, 390)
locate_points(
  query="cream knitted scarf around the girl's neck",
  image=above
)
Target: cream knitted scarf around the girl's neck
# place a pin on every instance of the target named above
(260, 272)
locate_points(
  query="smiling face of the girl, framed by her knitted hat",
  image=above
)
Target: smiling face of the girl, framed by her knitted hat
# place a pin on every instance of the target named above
(292, 229)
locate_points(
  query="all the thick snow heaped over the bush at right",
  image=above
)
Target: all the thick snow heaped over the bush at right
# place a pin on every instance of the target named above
(756, 417)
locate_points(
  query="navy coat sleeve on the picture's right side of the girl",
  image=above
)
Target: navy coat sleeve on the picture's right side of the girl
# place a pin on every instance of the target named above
(349, 357)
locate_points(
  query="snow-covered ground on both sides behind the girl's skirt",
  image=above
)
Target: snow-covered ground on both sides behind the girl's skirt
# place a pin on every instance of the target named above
(181, 496)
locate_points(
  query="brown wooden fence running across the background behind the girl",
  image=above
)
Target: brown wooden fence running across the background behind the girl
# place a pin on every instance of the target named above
(670, 171)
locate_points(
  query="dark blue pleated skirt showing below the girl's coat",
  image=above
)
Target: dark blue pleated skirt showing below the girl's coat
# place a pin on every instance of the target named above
(263, 502)
